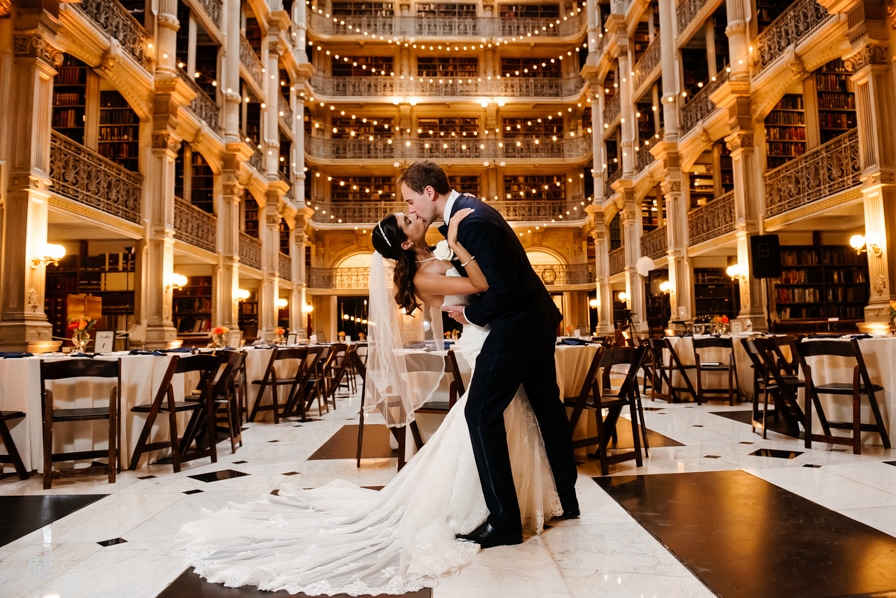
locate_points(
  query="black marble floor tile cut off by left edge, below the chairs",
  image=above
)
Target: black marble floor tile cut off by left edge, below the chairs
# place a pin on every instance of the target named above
(24, 514)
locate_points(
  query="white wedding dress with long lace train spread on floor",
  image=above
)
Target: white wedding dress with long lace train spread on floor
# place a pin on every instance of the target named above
(340, 538)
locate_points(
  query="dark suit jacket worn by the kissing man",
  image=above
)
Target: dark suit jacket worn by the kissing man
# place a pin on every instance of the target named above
(517, 305)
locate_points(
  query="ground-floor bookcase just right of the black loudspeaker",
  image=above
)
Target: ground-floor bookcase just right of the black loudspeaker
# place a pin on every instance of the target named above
(821, 281)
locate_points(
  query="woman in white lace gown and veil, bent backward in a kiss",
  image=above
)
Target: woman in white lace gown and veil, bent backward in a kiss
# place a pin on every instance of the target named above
(342, 539)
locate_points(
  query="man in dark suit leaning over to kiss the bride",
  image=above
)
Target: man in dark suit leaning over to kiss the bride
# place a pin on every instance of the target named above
(519, 350)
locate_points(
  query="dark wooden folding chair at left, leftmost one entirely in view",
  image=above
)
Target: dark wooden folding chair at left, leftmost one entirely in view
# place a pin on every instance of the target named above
(89, 371)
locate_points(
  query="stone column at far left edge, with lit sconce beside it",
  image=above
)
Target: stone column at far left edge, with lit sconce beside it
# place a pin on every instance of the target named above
(27, 97)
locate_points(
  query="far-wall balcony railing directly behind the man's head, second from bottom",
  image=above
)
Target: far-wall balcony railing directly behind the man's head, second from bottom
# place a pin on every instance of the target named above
(358, 212)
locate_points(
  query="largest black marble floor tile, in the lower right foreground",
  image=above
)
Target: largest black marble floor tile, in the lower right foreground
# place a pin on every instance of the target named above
(745, 538)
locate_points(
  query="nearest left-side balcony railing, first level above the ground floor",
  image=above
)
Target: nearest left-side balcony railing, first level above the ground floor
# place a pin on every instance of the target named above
(88, 178)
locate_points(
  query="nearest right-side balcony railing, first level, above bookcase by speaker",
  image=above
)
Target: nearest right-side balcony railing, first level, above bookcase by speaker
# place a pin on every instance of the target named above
(819, 173)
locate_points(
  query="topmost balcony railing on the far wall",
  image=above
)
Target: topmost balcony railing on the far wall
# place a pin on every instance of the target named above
(479, 27)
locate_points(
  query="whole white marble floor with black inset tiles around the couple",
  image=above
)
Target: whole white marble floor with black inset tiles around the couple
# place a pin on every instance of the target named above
(715, 511)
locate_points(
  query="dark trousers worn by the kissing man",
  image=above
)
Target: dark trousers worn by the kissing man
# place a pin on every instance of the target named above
(496, 379)
